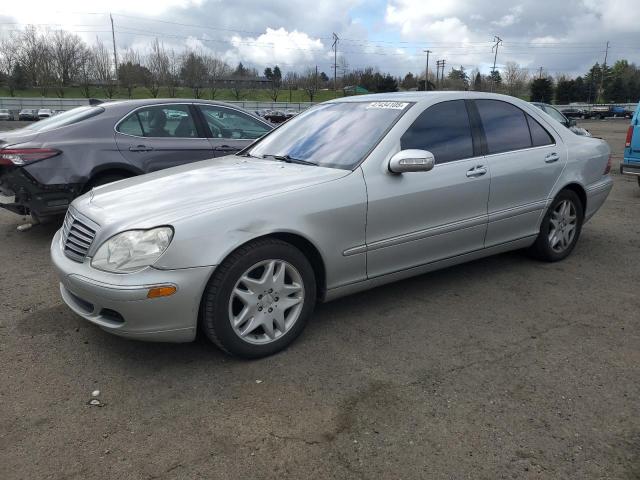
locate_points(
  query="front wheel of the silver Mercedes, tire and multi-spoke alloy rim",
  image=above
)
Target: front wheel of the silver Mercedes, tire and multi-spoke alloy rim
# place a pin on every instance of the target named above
(259, 299)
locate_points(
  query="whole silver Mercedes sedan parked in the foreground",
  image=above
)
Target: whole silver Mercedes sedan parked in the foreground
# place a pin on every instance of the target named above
(349, 195)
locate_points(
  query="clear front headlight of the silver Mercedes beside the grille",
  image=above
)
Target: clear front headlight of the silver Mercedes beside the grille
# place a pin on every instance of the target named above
(129, 251)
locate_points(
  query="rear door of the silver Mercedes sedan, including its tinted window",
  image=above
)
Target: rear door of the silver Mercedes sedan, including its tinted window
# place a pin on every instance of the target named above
(525, 161)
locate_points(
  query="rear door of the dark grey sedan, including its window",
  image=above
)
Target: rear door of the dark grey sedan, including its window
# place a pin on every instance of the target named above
(161, 136)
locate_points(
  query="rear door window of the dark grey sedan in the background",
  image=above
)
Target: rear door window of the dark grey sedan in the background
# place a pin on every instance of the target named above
(160, 121)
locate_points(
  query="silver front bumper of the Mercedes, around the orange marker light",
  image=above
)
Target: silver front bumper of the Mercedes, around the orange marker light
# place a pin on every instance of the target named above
(118, 303)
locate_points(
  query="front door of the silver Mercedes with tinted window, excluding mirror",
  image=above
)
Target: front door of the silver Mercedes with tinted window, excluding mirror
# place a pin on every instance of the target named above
(421, 217)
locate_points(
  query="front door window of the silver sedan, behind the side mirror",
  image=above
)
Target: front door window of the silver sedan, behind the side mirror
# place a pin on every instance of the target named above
(444, 130)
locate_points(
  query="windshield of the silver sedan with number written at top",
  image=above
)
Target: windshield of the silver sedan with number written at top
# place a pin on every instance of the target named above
(336, 135)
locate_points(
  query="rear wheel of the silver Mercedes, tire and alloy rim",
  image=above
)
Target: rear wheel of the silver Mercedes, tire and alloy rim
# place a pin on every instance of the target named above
(560, 228)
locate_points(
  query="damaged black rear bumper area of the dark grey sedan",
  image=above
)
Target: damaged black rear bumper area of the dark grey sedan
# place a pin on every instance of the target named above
(29, 196)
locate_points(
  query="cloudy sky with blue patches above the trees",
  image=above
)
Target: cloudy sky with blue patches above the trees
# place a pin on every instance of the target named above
(563, 36)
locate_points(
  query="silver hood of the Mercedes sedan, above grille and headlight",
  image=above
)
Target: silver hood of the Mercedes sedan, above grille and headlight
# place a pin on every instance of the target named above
(169, 195)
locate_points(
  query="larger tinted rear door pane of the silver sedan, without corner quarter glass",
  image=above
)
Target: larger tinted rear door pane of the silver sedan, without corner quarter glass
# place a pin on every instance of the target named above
(505, 126)
